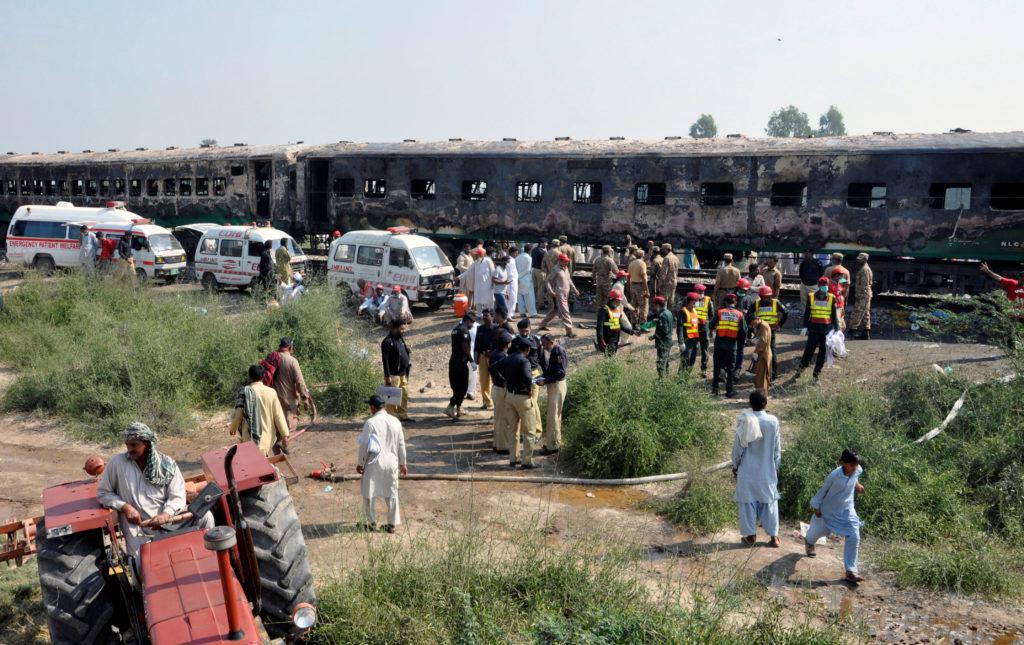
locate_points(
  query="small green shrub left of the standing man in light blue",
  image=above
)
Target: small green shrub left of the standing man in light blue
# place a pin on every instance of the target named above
(705, 506)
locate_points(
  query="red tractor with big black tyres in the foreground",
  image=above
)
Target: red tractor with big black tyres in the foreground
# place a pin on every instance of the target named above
(245, 581)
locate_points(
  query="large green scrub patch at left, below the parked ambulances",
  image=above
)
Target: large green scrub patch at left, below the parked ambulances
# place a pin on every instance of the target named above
(104, 353)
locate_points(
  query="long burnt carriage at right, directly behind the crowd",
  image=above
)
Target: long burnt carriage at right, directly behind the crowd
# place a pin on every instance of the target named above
(932, 197)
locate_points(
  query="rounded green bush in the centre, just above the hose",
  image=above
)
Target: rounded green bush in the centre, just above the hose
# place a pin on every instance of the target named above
(621, 421)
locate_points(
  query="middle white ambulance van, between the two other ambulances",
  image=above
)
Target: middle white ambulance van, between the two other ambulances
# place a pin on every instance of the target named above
(230, 255)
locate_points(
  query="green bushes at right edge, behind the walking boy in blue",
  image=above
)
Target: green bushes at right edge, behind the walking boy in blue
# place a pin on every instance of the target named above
(954, 502)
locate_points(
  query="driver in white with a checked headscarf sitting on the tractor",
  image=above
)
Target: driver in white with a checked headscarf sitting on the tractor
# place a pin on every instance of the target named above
(145, 487)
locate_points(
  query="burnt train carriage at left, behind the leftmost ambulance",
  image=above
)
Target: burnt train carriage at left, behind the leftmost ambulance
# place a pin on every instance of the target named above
(174, 187)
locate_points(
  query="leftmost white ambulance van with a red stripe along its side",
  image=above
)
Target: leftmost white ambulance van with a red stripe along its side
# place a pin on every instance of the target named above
(50, 237)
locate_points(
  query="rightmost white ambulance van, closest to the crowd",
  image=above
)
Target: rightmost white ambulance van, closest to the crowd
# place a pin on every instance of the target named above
(393, 257)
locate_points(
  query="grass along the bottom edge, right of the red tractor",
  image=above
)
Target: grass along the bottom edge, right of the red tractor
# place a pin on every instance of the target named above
(471, 590)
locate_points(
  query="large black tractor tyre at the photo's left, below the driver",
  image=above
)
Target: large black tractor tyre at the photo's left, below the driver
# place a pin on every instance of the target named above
(78, 603)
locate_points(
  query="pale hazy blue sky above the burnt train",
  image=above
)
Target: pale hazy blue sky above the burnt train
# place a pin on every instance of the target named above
(99, 75)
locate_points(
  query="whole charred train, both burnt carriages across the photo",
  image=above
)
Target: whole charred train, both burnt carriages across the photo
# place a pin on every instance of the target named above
(931, 198)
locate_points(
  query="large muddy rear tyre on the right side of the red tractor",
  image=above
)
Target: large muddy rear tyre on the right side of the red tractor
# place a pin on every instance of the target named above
(281, 552)
